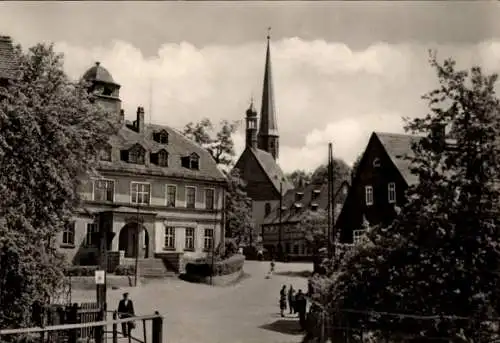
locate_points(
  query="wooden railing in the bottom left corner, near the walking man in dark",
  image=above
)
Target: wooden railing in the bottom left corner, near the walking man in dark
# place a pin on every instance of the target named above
(99, 329)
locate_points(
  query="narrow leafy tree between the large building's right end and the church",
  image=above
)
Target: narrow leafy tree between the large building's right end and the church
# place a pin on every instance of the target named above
(238, 209)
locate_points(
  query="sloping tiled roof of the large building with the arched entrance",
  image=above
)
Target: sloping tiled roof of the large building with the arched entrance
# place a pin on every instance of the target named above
(177, 147)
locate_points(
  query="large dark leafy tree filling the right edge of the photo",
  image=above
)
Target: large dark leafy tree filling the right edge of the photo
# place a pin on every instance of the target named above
(440, 256)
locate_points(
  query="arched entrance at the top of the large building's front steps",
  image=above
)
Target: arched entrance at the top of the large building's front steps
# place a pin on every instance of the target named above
(134, 239)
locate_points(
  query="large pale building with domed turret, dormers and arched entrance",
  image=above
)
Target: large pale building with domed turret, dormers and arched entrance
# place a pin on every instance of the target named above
(157, 195)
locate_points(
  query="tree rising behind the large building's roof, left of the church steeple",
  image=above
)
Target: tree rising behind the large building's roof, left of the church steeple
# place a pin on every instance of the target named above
(219, 143)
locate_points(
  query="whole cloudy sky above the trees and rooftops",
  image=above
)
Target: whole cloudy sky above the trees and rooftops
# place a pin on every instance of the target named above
(341, 69)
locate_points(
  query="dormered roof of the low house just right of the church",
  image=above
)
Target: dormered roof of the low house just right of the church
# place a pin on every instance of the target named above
(293, 208)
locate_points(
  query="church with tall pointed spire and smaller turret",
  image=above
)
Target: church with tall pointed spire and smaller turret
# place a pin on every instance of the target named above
(258, 166)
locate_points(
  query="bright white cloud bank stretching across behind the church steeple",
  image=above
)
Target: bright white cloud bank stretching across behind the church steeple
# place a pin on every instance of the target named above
(325, 92)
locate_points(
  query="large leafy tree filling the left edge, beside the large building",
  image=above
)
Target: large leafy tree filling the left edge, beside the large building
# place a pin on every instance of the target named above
(50, 134)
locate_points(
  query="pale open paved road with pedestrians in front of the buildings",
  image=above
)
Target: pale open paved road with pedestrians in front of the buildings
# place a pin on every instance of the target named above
(243, 313)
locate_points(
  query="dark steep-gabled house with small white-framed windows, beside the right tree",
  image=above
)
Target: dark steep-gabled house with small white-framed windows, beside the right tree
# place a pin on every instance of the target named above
(379, 184)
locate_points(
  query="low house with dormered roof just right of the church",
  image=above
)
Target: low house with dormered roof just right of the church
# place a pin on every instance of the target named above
(287, 225)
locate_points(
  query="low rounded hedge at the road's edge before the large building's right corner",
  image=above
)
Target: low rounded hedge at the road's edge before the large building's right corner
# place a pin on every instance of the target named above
(223, 267)
